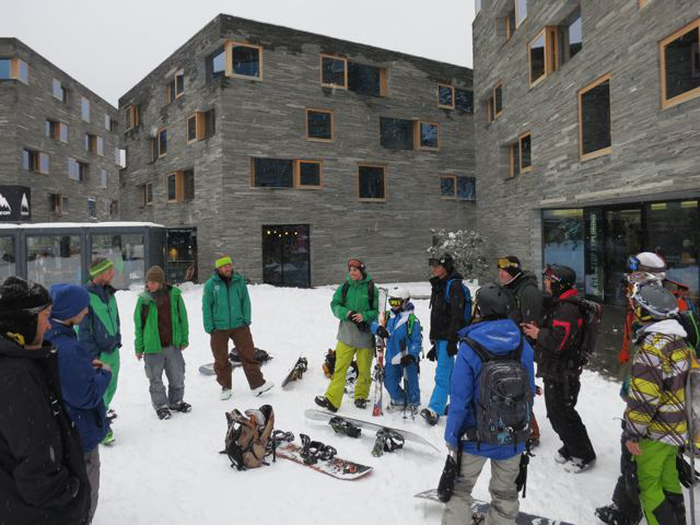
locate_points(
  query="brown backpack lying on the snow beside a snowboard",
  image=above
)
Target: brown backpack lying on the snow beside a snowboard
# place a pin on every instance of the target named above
(248, 436)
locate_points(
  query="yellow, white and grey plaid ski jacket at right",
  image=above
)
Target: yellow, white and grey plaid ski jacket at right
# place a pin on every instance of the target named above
(656, 399)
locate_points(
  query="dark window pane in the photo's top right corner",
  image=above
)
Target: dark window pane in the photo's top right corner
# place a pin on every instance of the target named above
(682, 58)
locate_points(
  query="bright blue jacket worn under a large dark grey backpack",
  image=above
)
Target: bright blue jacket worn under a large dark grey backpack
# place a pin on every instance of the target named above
(499, 337)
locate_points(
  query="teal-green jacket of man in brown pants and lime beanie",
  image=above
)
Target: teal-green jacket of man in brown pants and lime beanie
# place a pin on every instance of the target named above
(225, 307)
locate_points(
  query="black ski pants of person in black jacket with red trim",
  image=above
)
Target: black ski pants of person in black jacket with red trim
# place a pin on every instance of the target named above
(561, 397)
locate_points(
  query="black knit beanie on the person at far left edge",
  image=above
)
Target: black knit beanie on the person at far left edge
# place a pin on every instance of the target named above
(20, 304)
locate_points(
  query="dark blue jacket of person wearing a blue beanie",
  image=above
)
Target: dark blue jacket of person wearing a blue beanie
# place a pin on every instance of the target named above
(81, 384)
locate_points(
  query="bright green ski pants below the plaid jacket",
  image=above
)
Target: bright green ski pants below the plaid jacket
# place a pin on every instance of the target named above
(659, 487)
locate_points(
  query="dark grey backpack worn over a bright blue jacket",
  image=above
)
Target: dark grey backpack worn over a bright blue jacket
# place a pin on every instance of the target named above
(505, 398)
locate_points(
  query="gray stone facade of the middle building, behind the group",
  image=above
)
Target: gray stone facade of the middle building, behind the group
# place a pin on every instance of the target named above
(267, 119)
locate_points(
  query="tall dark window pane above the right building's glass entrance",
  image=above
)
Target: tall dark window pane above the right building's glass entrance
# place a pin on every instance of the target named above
(595, 118)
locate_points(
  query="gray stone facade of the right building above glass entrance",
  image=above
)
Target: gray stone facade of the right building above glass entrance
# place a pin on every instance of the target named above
(655, 154)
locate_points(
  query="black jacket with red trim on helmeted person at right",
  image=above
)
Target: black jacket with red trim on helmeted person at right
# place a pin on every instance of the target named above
(559, 340)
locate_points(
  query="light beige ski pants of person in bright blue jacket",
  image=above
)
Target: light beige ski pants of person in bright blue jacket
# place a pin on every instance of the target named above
(504, 493)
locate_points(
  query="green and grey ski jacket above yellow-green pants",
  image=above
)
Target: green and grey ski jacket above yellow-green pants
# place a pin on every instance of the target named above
(357, 300)
